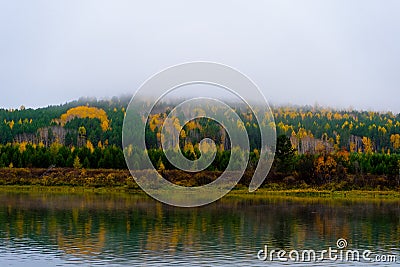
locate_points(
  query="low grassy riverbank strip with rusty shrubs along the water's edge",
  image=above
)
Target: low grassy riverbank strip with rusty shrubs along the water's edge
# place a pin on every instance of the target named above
(69, 180)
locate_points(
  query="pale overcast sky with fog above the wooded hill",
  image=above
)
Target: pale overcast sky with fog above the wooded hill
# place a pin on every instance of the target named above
(338, 53)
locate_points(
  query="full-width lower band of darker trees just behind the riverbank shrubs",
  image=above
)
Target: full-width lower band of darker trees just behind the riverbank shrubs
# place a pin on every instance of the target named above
(290, 168)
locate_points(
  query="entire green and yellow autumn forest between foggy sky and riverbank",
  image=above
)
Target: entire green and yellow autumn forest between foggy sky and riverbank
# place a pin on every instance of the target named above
(315, 145)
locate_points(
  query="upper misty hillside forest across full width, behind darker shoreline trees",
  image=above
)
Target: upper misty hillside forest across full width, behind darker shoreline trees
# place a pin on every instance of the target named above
(99, 122)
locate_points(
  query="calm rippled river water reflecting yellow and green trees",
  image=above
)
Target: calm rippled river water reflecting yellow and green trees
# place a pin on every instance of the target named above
(54, 229)
